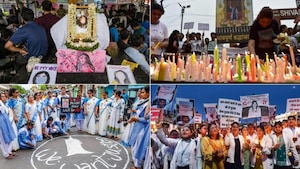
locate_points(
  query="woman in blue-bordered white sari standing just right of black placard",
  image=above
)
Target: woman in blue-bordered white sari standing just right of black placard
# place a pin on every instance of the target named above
(90, 109)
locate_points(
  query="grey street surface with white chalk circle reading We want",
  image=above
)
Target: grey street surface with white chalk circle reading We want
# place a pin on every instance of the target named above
(75, 152)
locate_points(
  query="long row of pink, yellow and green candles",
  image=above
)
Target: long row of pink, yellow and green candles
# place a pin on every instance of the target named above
(225, 69)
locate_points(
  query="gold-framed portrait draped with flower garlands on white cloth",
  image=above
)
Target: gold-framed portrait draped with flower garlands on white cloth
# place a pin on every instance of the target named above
(81, 27)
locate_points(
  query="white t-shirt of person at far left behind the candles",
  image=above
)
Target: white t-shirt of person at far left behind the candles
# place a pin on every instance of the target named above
(159, 32)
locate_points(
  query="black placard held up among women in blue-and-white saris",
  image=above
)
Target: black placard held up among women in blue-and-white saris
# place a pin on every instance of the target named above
(71, 105)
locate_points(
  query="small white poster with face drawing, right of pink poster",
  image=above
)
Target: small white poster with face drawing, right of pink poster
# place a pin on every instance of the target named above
(118, 74)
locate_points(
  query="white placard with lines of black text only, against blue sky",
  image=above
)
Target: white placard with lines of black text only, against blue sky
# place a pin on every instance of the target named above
(228, 107)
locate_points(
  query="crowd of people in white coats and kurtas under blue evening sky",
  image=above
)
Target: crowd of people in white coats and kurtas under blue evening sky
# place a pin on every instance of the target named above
(205, 145)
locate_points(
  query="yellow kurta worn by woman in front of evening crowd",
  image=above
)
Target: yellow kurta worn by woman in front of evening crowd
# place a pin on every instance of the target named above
(207, 150)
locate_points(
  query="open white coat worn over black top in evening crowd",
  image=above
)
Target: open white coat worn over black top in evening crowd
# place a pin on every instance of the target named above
(230, 141)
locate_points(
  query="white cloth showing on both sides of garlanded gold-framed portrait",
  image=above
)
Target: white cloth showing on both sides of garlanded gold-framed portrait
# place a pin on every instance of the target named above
(59, 32)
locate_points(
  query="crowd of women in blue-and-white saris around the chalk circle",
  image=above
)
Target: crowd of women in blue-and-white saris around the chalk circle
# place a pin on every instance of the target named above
(40, 116)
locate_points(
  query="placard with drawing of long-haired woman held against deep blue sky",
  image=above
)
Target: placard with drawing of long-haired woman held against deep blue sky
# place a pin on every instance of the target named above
(255, 105)
